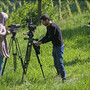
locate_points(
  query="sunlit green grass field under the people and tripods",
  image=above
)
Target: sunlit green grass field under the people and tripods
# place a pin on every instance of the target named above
(76, 38)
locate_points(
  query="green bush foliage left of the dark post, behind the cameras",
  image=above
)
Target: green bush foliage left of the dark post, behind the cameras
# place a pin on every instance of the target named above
(26, 11)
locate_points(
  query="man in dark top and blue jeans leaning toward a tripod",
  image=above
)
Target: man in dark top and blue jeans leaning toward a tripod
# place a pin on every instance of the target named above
(54, 34)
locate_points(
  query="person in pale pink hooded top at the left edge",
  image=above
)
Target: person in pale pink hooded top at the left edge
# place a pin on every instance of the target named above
(4, 51)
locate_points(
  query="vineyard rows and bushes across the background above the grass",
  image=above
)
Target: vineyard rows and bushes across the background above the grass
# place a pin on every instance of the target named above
(18, 11)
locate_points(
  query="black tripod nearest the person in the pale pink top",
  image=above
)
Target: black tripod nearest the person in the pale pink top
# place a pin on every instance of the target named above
(14, 41)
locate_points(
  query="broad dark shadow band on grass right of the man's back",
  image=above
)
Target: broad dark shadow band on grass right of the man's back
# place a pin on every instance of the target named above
(69, 34)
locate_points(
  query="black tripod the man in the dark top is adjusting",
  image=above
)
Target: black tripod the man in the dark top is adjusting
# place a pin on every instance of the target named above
(28, 54)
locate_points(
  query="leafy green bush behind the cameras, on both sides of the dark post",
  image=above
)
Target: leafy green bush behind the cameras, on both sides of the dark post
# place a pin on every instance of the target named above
(28, 10)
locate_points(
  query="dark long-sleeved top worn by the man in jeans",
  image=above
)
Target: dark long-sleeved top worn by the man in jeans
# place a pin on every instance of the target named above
(53, 34)
